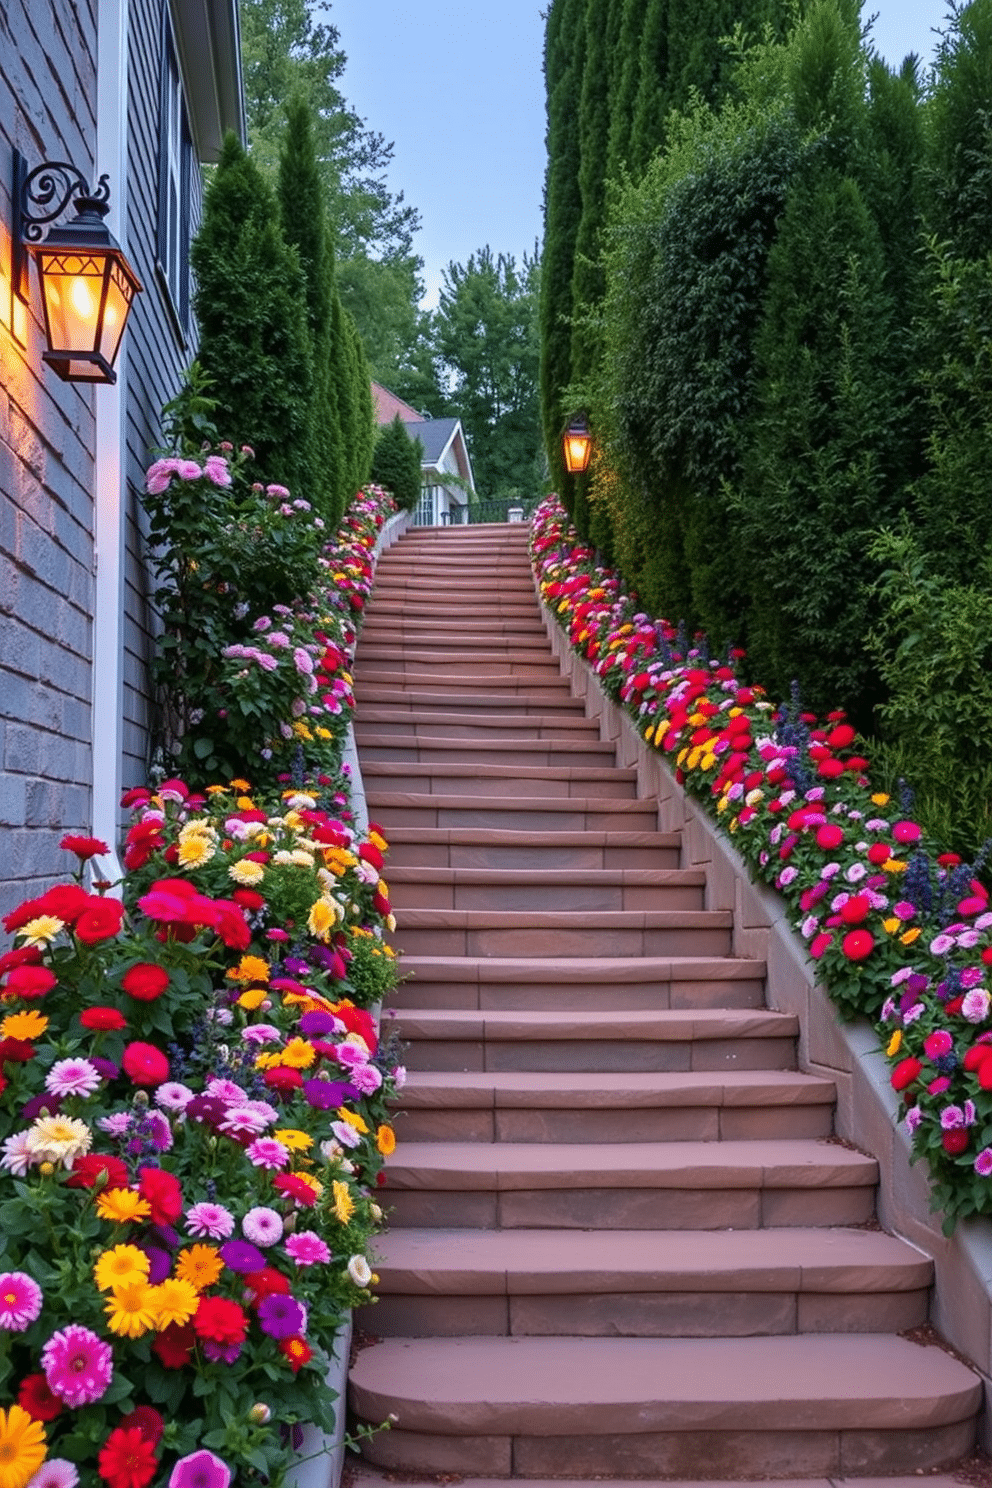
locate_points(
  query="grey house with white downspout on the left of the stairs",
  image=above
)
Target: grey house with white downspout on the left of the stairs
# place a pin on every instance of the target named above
(144, 92)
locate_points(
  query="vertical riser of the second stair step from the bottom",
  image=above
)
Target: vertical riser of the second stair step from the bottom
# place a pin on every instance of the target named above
(640, 1315)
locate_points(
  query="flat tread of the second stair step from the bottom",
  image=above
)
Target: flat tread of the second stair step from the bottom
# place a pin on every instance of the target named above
(521, 1263)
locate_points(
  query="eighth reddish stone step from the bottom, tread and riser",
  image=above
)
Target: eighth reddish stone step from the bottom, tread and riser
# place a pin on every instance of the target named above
(569, 889)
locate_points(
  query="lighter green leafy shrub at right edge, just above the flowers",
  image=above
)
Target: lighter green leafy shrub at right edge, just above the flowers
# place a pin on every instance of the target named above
(932, 639)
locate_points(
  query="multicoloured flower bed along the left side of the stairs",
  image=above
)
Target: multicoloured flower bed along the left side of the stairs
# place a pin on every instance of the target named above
(193, 1127)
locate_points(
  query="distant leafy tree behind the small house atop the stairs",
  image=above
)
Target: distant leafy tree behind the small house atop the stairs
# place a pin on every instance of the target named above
(486, 333)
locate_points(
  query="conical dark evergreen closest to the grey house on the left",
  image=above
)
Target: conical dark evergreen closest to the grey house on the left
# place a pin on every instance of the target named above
(251, 307)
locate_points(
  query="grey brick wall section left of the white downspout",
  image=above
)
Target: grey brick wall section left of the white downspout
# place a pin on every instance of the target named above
(47, 474)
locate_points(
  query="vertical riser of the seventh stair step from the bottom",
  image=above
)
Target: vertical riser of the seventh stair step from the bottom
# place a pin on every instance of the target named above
(558, 943)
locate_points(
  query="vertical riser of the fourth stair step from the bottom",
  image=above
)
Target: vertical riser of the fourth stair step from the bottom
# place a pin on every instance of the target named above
(631, 1124)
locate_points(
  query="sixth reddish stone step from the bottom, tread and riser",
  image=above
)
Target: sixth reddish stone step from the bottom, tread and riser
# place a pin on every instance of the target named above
(608, 986)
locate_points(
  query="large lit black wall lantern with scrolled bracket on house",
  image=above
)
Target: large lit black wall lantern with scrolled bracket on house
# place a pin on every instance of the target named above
(86, 278)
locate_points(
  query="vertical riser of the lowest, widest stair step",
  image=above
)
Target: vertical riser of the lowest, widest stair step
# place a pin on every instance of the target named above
(685, 1456)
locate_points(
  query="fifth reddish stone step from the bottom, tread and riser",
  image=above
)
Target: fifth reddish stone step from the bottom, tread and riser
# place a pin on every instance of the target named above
(499, 1039)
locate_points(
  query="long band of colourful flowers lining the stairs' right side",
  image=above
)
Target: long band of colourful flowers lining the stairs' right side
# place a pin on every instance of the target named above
(901, 932)
